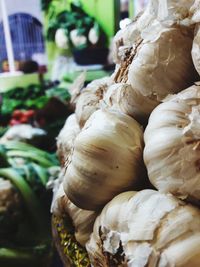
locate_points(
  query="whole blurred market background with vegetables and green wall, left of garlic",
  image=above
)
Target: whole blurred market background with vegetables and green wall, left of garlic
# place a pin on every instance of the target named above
(47, 48)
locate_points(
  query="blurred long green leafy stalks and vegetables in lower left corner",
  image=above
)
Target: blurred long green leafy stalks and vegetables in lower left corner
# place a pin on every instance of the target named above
(25, 233)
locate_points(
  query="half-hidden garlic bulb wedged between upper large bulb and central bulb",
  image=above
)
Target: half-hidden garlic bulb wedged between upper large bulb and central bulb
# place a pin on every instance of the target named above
(123, 98)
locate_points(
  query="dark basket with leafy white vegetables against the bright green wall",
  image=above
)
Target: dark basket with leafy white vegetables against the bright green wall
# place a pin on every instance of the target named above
(74, 32)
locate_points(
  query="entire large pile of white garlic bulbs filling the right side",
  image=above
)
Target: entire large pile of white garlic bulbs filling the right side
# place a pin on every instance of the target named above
(141, 124)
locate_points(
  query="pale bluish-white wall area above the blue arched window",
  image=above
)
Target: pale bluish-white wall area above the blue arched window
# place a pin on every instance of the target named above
(27, 6)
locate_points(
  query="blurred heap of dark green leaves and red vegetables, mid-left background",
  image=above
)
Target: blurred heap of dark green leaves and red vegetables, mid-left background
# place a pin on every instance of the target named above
(43, 106)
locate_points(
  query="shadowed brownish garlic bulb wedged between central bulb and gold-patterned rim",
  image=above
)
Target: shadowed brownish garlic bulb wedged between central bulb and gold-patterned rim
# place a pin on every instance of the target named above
(83, 220)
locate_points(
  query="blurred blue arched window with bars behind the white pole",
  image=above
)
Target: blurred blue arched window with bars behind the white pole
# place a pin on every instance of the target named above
(25, 27)
